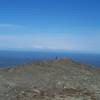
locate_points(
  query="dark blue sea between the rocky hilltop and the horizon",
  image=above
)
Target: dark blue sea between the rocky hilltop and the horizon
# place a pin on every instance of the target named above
(10, 58)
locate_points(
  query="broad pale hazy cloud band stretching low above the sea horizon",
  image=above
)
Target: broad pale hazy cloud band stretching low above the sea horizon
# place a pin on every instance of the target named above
(79, 43)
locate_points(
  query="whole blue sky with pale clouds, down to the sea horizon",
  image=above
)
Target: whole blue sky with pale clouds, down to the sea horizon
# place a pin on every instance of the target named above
(70, 25)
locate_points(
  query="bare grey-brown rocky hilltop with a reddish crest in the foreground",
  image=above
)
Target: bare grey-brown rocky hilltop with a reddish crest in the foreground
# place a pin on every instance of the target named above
(58, 79)
